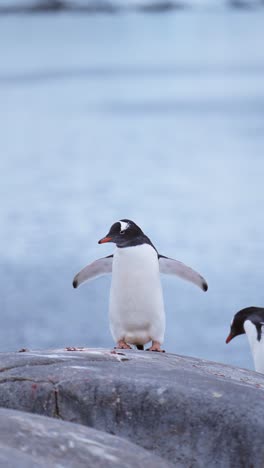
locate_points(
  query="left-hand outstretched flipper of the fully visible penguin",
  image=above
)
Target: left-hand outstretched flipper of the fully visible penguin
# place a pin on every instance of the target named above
(102, 266)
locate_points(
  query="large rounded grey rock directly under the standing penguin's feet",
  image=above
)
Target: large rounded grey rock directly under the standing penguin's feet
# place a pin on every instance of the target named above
(191, 412)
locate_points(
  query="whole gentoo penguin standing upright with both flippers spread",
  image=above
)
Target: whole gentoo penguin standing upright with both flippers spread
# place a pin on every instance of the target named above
(136, 309)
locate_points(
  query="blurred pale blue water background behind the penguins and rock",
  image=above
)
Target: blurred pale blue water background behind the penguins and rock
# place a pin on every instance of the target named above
(147, 110)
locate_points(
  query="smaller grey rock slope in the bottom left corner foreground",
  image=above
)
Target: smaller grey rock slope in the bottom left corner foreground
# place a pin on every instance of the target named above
(28, 440)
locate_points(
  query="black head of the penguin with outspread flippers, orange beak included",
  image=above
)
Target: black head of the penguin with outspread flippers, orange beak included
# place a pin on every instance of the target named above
(125, 233)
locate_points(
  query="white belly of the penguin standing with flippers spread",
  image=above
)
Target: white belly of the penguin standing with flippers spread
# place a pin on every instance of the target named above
(136, 300)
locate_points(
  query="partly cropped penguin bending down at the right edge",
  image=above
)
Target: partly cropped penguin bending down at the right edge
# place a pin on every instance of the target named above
(251, 321)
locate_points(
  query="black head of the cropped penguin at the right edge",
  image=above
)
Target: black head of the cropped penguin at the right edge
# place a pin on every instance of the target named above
(254, 314)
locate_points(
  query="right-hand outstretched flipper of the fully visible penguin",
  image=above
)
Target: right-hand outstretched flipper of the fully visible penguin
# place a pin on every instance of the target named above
(169, 266)
